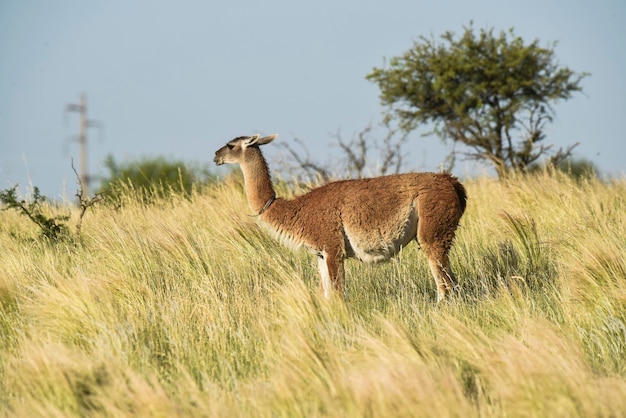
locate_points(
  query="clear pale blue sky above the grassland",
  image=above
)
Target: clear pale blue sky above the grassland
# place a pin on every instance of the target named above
(179, 79)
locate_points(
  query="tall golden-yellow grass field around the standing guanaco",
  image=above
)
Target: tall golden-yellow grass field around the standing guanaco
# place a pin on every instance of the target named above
(186, 308)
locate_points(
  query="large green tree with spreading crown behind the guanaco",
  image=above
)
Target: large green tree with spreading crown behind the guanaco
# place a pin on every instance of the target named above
(494, 94)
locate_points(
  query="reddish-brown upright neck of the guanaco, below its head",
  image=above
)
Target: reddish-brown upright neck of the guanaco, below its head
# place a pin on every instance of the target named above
(258, 182)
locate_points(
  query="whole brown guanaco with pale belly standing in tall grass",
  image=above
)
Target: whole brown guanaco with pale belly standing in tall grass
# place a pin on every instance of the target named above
(370, 219)
